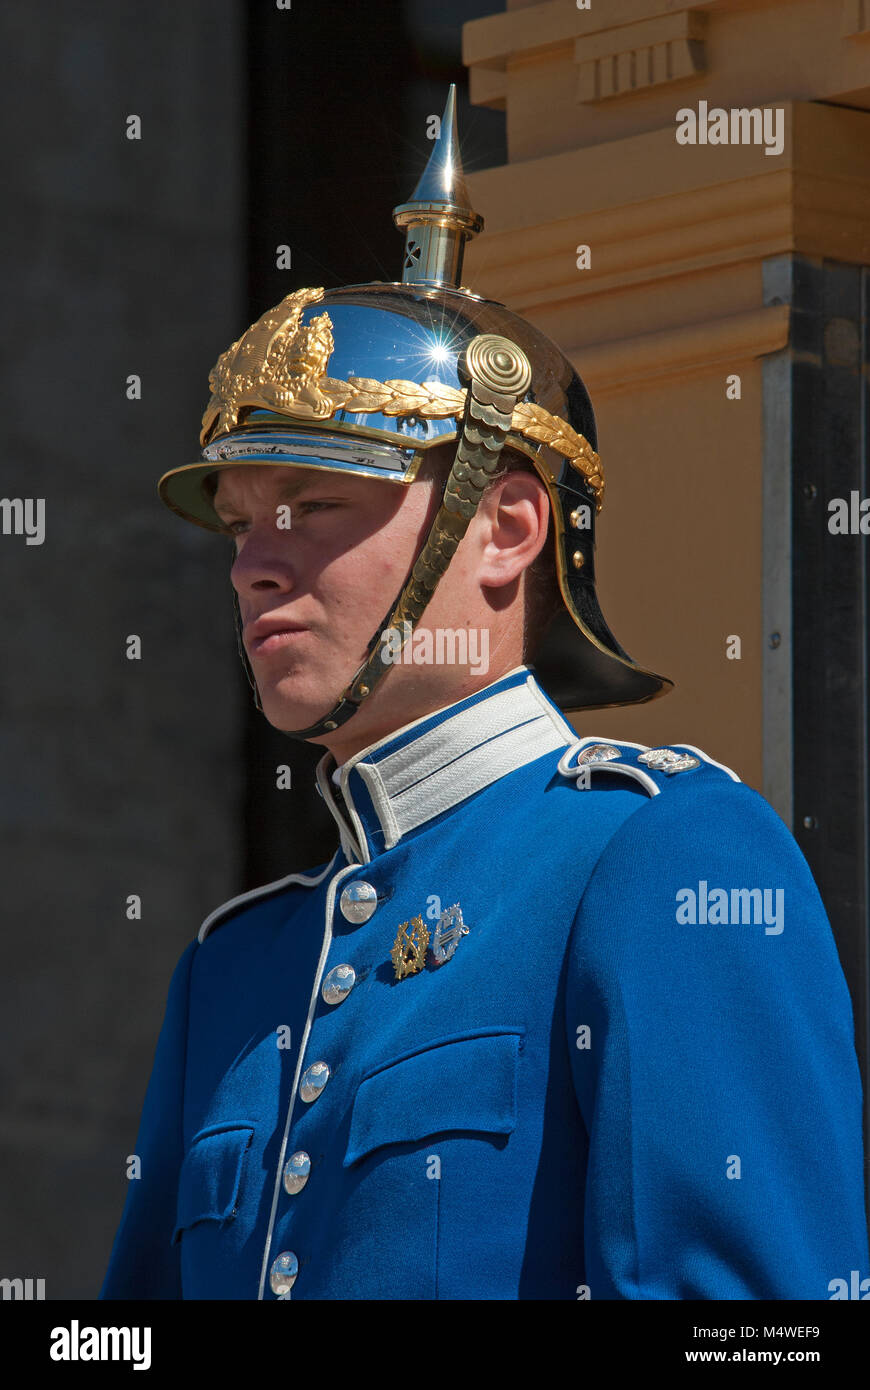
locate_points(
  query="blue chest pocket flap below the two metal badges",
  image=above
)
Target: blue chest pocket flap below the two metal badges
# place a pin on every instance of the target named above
(466, 1082)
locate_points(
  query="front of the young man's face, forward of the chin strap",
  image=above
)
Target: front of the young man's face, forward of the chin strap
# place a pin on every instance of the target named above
(312, 596)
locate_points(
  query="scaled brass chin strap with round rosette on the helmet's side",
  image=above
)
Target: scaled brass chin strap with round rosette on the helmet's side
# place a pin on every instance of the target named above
(498, 375)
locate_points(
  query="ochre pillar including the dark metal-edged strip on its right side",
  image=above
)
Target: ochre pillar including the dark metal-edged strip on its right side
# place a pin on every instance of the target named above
(687, 212)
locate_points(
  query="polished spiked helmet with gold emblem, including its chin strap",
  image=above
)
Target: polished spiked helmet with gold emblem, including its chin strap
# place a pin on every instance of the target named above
(368, 377)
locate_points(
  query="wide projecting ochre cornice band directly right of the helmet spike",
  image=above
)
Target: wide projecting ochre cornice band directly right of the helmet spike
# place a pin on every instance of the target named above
(652, 211)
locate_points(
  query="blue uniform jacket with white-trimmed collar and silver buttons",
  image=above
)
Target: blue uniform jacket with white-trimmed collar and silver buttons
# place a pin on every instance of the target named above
(633, 1078)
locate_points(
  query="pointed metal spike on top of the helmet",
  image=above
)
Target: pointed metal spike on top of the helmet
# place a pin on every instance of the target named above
(438, 220)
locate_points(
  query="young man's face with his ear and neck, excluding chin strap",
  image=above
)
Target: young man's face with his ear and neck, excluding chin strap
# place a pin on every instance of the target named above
(313, 596)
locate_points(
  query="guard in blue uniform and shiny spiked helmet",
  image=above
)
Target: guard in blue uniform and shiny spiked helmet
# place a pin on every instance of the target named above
(564, 1017)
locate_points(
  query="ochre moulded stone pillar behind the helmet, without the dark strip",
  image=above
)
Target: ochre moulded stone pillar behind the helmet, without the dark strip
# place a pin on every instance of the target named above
(669, 304)
